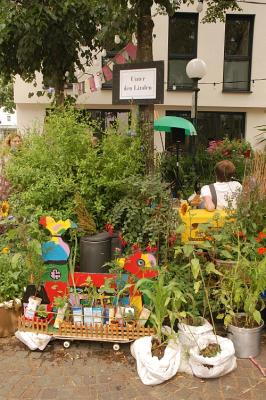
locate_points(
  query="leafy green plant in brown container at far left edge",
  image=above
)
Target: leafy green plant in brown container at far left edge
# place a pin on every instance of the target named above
(19, 260)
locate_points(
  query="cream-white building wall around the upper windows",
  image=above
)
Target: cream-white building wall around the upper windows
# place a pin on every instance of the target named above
(211, 98)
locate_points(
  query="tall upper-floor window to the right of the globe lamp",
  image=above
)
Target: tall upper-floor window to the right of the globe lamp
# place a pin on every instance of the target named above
(238, 52)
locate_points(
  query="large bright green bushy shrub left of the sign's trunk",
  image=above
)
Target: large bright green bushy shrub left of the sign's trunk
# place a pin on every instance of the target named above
(53, 166)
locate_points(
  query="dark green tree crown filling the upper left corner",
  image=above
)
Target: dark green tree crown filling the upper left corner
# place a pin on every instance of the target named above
(49, 36)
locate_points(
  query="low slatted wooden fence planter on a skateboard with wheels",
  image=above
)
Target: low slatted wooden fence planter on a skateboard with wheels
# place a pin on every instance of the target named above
(101, 333)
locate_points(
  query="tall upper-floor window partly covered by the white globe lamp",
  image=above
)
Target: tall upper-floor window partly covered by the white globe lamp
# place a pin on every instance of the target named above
(182, 47)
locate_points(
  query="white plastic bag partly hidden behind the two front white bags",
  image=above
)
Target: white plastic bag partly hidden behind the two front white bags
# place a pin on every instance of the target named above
(189, 335)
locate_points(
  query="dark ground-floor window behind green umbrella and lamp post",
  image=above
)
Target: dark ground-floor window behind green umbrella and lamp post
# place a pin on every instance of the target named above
(211, 126)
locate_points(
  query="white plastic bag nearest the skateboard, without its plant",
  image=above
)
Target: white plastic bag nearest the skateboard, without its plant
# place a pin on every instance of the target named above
(151, 370)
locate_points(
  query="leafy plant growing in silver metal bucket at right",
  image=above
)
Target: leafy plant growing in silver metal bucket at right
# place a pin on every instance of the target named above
(239, 293)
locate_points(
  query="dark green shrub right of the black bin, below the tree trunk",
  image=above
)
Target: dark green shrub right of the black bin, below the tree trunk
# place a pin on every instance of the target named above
(144, 213)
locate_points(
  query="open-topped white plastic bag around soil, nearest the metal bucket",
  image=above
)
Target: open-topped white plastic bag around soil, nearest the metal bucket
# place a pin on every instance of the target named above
(212, 367)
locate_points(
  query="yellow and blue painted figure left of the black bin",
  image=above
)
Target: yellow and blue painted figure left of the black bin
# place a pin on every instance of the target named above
(56, 250)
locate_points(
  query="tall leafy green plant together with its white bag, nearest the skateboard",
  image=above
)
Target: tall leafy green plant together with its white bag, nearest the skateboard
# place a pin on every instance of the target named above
(158, 357)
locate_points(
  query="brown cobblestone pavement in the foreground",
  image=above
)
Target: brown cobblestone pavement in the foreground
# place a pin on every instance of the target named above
(93, 371)
